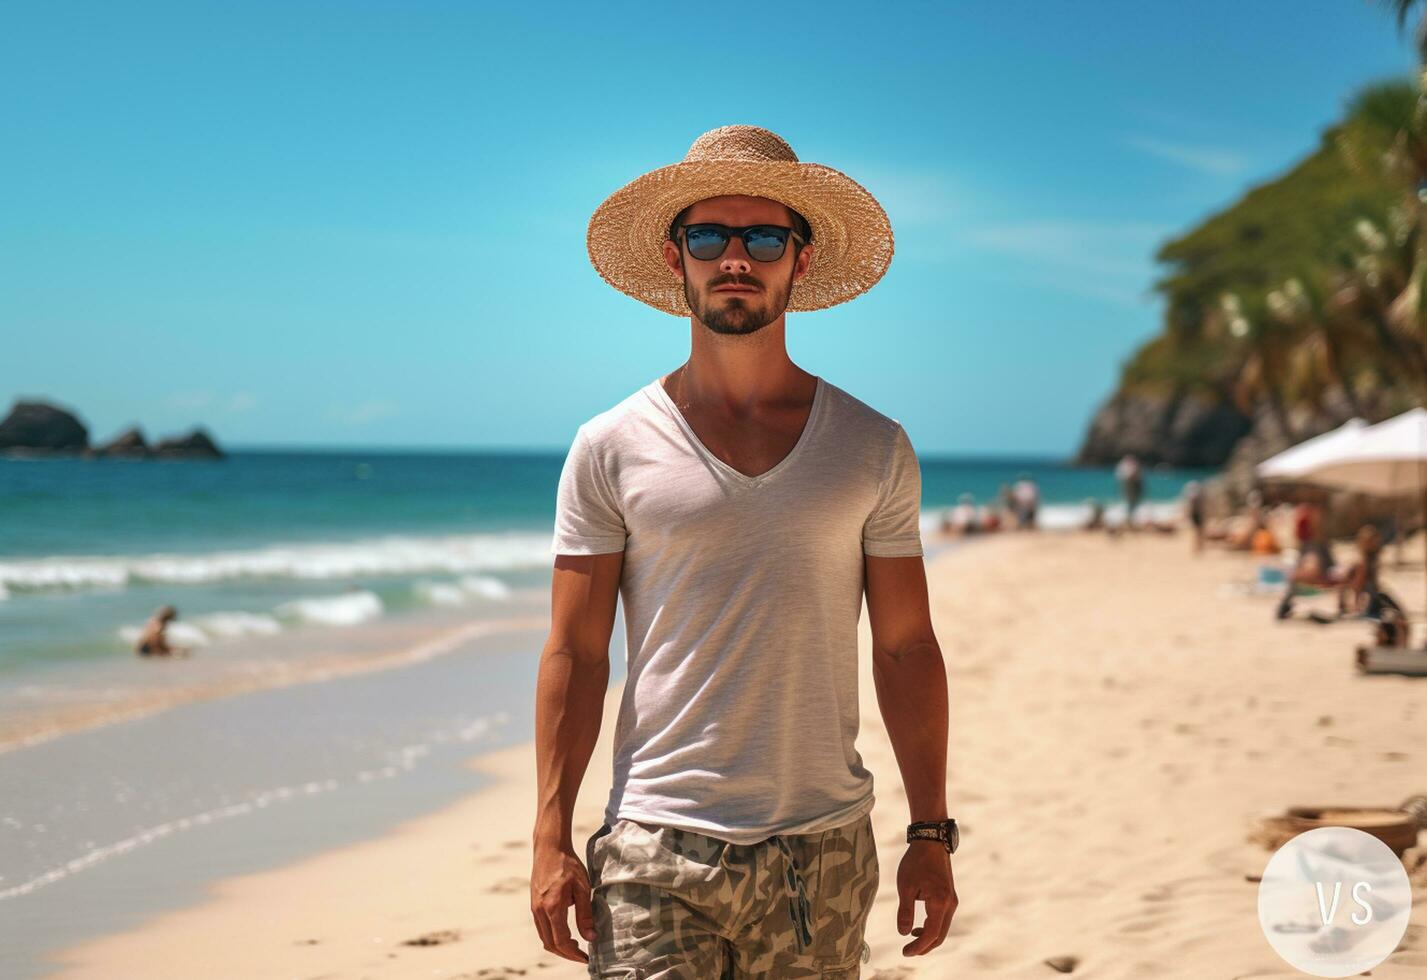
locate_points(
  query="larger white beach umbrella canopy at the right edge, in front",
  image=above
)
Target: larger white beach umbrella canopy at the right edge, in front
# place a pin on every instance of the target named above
(1385, 460)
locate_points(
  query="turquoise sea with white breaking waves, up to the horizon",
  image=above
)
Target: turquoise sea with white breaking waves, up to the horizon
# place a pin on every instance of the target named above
(265, 543)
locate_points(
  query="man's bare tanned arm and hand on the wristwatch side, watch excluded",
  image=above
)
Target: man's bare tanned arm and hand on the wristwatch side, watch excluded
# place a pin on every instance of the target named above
(911, 685)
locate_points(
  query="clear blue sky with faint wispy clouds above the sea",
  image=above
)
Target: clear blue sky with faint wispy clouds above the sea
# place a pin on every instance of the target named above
(365, 223)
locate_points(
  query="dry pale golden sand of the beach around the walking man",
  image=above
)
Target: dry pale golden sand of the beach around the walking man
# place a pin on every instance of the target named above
(1121, 715)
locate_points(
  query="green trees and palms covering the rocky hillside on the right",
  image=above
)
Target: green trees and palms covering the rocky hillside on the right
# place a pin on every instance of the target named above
(1289, 293)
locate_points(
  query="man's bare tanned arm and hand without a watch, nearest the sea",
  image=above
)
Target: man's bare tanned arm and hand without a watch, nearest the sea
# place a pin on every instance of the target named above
(570, 695)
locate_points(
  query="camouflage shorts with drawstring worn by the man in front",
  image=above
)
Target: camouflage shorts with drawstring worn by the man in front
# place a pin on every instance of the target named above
(677, 905)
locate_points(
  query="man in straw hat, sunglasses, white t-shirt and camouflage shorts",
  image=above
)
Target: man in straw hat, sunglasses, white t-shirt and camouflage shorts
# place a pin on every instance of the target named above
(741, 507)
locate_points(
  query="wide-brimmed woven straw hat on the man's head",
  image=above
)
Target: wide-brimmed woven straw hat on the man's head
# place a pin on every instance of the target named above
(851, 233)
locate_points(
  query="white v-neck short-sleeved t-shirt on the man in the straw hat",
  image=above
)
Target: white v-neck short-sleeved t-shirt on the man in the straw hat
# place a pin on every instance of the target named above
(741, 600)
